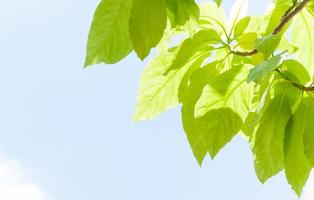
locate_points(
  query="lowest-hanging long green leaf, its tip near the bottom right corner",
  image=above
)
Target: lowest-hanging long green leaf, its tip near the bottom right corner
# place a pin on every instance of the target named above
(297, 167)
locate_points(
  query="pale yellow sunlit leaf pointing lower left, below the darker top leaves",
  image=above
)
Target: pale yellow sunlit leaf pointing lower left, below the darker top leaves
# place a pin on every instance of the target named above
(158, 92)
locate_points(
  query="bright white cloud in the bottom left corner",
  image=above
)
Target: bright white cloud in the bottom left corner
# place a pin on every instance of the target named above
(14, 184)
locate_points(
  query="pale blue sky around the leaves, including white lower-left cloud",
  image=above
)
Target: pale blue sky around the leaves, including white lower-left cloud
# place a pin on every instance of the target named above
(67, 133)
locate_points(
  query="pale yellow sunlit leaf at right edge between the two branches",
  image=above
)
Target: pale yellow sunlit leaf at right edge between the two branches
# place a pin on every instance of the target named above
(302, 37)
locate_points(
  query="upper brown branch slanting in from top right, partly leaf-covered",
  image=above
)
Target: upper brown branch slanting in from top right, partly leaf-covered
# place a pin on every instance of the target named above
(292, 11)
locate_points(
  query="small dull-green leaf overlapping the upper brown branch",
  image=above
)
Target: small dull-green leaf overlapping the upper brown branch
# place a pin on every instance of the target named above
(267, 45)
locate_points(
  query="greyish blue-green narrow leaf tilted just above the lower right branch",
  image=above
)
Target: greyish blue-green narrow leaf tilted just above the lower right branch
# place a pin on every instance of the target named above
(259, 72)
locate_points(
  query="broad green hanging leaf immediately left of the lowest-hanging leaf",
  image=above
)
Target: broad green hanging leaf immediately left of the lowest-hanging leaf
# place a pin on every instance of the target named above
(268, 139)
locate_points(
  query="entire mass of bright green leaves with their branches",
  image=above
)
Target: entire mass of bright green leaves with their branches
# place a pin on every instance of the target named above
(248, 75)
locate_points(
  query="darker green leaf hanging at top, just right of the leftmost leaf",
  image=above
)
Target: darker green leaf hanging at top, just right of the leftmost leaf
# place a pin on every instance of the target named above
(148, 21)
